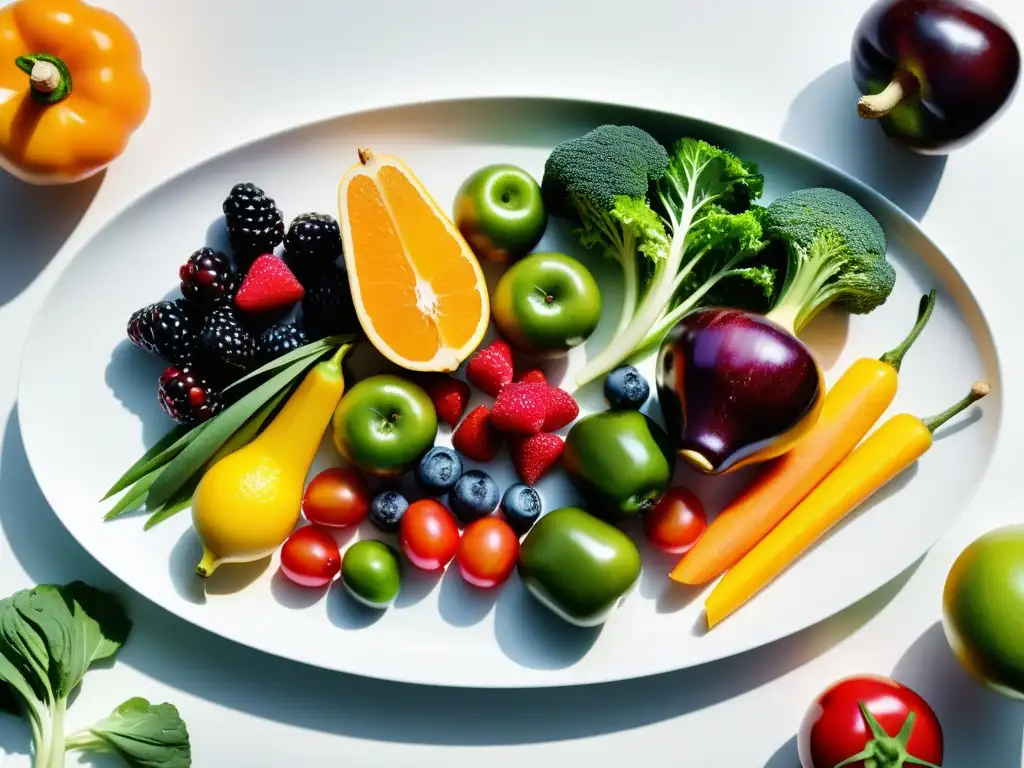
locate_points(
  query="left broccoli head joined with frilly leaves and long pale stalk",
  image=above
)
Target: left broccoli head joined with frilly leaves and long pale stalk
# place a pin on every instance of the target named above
(665, 223)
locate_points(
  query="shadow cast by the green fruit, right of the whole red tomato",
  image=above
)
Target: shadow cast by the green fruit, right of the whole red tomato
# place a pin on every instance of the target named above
(977, 723)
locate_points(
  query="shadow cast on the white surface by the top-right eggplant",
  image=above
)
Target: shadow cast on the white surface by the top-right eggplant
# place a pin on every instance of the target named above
(824, 121)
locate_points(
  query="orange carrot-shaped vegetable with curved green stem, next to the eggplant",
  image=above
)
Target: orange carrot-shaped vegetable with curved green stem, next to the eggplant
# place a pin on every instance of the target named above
(852, 406)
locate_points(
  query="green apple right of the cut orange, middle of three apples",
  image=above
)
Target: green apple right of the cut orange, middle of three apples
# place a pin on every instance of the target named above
(546, 305)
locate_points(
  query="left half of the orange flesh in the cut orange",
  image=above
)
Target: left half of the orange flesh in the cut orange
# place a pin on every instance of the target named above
(387, 280)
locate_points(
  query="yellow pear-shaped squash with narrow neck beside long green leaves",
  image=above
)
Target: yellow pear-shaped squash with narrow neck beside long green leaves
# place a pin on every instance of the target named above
(249, 502)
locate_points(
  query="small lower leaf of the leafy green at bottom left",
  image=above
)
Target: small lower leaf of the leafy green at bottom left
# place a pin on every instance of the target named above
(143, 735)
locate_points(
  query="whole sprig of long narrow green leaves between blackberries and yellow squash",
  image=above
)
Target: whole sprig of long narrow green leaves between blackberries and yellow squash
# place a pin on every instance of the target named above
(163, 480)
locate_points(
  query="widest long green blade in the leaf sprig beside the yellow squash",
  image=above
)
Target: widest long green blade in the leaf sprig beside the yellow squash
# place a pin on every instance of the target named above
(220, 430)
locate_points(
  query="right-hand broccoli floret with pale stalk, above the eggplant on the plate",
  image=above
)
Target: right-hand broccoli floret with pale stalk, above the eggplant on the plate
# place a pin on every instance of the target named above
(837, 253)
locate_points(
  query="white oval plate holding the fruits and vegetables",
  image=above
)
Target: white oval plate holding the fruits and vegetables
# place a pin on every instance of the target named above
(88, 409)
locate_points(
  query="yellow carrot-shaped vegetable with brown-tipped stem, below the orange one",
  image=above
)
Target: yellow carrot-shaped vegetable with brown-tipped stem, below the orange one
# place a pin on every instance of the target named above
(890, 450)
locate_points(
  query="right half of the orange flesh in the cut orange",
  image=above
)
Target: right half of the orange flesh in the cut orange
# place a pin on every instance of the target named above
(438, 259)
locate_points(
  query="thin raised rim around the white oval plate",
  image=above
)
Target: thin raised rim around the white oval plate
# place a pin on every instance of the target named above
(867, 193)
